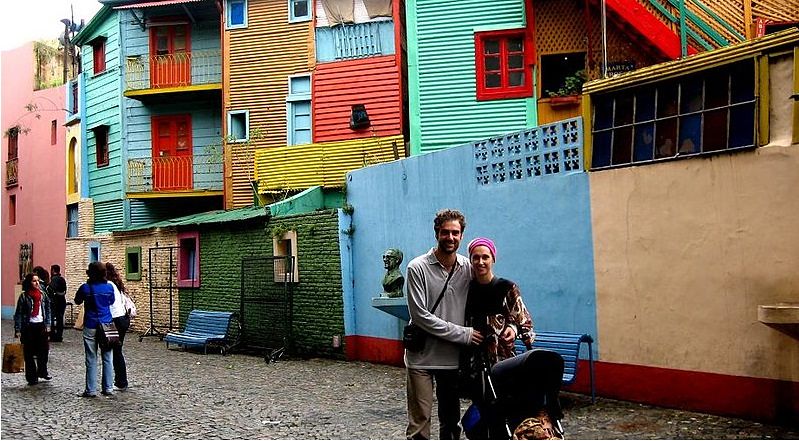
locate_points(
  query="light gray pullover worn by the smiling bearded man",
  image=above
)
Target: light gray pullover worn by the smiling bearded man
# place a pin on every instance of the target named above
(425, 279)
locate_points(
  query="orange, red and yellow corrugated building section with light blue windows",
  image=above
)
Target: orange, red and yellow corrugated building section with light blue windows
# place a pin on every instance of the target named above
(310, 93)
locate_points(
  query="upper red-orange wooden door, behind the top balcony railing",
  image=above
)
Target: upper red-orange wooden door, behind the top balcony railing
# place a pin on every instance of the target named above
(170, 56)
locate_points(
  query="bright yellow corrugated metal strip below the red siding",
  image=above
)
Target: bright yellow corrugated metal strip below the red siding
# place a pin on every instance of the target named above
(323, 164)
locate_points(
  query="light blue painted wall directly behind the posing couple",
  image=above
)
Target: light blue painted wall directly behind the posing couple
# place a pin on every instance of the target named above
(542, 228)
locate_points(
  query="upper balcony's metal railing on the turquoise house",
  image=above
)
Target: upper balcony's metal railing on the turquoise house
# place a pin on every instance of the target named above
(180, 69)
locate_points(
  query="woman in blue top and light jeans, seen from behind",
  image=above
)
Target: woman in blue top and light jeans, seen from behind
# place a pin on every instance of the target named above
(98, 295)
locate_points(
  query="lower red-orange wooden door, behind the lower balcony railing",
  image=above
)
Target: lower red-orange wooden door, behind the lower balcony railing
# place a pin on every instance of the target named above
(173, 163)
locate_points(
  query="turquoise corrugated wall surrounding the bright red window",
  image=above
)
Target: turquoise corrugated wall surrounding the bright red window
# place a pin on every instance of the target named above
(444, 111)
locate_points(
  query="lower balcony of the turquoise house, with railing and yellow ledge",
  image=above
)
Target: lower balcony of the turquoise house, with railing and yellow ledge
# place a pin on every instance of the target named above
(198, 175)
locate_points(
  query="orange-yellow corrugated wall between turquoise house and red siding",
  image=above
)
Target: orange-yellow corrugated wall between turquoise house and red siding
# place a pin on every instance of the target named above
(260, 59)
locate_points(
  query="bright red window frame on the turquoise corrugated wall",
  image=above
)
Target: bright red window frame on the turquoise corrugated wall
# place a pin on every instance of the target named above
(504, 90)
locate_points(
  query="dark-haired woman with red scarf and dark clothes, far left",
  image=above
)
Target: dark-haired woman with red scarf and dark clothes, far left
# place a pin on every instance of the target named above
(32, 320)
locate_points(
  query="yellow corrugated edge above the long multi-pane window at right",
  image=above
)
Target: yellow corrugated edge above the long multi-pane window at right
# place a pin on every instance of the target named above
(694, 63)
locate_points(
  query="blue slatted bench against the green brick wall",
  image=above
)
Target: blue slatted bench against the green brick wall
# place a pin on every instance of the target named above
(204, 328)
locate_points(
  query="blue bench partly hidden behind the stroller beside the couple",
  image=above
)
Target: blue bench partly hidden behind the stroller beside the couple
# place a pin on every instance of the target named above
(566, 344)
